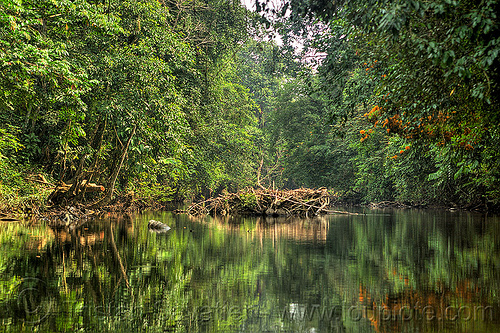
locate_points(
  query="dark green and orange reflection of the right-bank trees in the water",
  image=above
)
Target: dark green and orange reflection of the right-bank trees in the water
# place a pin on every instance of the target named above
(439, 260)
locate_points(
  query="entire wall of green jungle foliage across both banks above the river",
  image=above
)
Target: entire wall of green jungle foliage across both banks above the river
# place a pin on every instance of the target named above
(376, 100)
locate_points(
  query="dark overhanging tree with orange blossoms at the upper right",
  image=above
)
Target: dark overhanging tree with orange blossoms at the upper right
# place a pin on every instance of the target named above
(420, 71)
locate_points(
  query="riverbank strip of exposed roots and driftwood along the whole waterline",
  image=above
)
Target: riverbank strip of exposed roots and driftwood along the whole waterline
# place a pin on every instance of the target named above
(30, 199)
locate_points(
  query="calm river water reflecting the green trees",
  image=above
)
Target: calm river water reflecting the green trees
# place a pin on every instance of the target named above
(382, 271)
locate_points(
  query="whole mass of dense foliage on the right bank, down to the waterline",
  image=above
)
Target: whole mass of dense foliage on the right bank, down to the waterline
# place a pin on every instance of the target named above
(412, 89)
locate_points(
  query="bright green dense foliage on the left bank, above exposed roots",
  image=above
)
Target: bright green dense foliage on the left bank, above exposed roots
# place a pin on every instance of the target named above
(136, 95)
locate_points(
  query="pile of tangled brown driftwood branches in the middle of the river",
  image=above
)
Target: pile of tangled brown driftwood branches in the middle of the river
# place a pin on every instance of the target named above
(266, 202)
